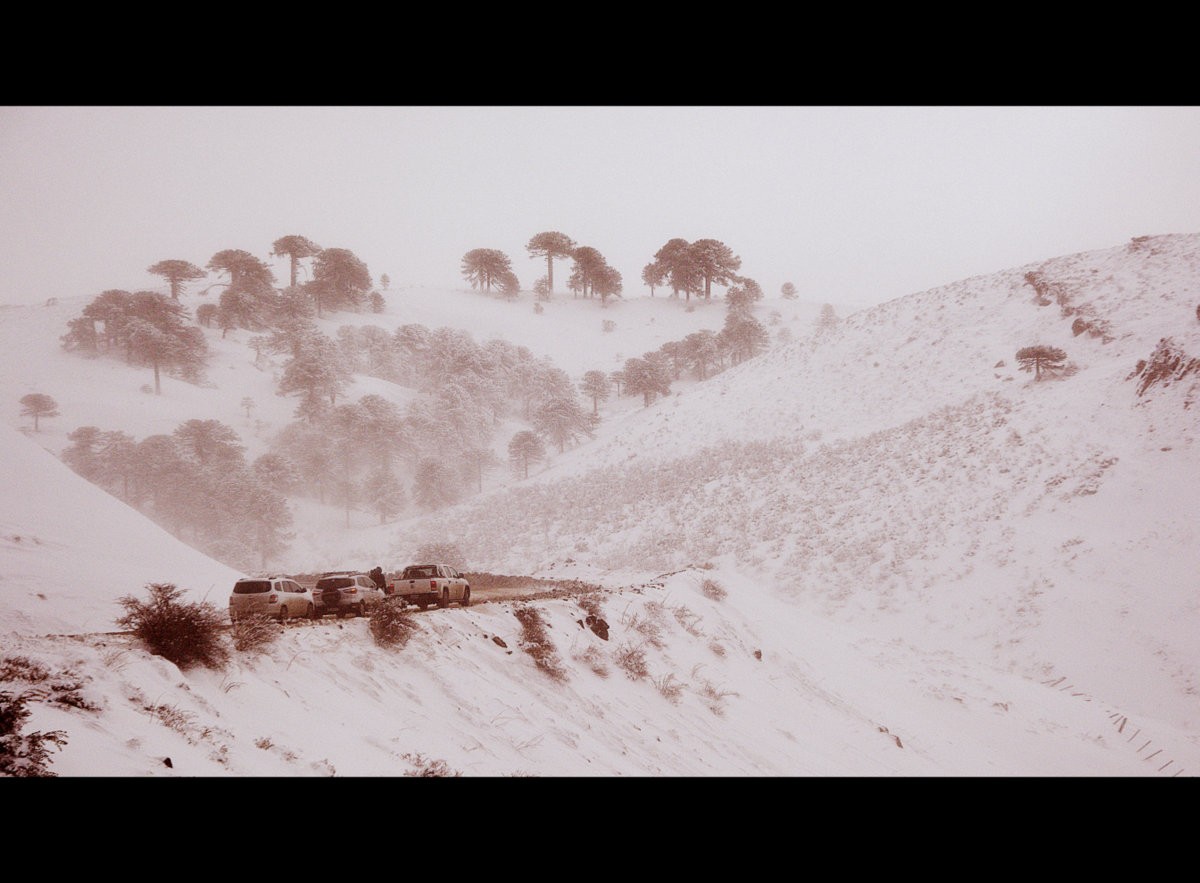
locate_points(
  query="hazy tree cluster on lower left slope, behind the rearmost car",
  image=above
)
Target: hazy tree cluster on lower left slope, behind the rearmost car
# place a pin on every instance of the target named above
(197, 484)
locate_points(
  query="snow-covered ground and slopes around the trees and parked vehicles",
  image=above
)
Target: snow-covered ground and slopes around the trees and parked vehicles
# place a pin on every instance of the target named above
(932, 564)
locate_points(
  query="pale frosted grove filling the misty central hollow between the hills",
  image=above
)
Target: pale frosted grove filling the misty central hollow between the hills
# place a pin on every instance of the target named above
(442, 443)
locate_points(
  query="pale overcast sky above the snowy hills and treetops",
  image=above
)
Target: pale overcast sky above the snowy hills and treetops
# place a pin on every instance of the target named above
(853, 205)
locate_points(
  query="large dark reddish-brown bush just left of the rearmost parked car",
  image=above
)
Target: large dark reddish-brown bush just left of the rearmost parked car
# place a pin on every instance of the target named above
(184, 633)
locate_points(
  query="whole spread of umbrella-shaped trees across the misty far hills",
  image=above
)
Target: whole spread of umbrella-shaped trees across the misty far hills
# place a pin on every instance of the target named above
(371, 453)
